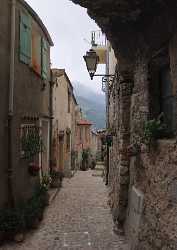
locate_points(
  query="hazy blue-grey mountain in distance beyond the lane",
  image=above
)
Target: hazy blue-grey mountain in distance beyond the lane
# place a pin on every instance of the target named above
(91, 103)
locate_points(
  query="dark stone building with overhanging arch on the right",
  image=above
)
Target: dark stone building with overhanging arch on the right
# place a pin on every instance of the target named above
(142, 176)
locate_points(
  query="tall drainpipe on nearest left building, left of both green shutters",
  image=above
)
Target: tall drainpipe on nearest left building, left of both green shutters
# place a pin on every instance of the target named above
(11, 103)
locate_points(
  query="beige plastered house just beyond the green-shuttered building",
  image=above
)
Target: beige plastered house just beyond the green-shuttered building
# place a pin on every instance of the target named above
(64, 122)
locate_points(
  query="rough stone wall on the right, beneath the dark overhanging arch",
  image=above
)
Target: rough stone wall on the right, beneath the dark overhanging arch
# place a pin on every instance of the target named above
(143, 186)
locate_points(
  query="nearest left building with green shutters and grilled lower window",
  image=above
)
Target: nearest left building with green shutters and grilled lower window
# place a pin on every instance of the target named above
(25, 96)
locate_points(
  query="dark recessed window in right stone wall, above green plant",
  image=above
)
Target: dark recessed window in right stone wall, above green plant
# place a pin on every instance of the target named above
(162, 99)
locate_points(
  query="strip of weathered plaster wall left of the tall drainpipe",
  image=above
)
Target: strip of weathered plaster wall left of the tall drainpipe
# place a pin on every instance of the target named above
(4, 81)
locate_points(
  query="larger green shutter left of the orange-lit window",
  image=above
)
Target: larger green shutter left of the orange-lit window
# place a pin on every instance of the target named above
(25, 38)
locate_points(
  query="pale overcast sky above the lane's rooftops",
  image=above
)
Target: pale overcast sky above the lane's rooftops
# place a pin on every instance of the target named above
(70, 27)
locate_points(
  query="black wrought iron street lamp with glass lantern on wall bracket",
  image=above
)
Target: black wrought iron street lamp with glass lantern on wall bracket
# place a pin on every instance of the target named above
(92, 59)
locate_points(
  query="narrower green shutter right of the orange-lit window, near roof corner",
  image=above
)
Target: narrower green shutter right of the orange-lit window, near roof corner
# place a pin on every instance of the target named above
(44, 58)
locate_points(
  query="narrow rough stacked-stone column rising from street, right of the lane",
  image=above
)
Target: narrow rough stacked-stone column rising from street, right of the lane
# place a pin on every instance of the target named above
(125, 90)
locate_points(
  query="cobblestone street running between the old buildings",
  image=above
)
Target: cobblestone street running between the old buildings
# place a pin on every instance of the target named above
(78, 219)
